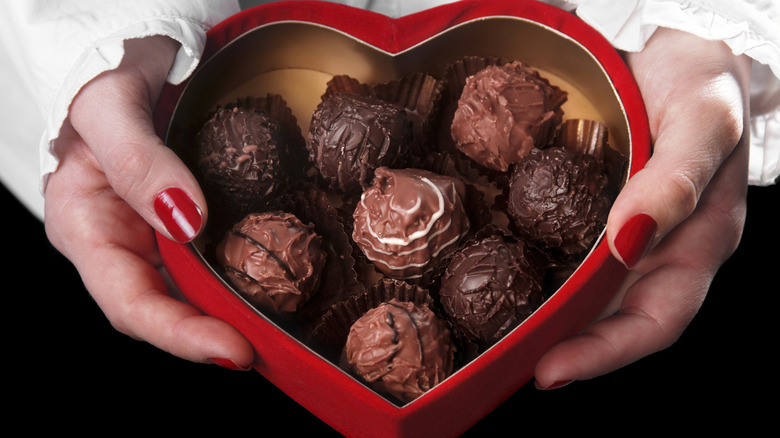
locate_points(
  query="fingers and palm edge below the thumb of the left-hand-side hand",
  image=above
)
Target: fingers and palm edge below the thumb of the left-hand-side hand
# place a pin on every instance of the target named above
(119, 269)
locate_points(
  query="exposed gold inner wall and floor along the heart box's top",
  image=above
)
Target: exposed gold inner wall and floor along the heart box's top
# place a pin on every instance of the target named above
(296, 59)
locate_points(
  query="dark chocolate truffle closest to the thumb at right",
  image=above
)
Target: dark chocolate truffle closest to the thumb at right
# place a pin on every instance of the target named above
(558, 199)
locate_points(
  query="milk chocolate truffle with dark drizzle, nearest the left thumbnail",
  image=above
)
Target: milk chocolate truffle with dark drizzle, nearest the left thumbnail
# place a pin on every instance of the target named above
(273, 259)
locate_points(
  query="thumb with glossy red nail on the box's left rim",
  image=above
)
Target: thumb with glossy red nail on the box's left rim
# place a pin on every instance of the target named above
(113, 115)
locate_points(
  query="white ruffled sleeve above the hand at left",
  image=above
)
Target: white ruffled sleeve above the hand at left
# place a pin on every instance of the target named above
(58, 46)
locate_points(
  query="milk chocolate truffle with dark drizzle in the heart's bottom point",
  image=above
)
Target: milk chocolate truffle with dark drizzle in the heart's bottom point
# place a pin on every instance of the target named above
(400, 349)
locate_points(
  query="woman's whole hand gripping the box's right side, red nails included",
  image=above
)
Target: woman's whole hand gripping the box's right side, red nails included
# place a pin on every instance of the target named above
(678, 219)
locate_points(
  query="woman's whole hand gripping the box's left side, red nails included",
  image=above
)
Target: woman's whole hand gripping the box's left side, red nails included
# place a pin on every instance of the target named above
(116, 182)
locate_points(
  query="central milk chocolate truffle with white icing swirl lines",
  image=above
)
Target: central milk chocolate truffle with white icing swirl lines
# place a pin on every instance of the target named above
(409, 220)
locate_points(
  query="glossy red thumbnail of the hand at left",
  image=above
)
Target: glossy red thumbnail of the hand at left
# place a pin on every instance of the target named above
(178, 213)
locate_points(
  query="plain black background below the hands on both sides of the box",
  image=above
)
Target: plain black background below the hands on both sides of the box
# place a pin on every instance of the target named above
(66, 369)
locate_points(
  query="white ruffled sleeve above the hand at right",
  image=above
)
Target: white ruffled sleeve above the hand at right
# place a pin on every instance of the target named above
(748, 27)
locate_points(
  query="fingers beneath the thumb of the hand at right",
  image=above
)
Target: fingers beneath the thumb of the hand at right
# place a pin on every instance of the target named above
(665, 290)
